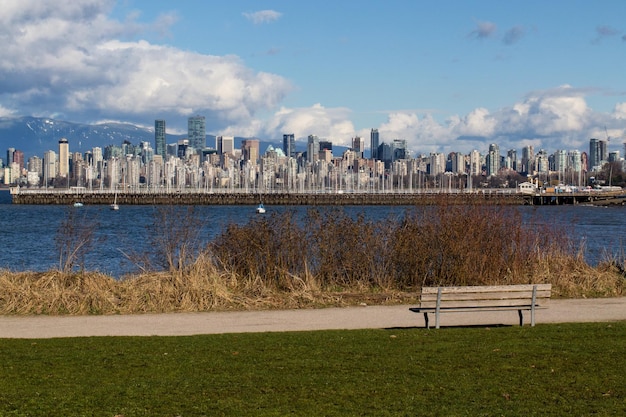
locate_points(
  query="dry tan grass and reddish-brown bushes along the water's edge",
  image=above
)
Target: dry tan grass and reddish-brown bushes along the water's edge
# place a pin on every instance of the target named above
(326, 258)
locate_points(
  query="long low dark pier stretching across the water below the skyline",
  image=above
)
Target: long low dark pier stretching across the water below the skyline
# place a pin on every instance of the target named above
(229, 197)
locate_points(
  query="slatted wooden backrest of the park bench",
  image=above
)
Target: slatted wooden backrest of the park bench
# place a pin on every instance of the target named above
(486, 296)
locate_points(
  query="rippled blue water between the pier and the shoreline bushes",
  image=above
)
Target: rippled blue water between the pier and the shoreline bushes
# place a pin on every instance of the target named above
(28, 232)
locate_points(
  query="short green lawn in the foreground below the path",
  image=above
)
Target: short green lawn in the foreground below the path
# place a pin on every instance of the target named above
(560, 370)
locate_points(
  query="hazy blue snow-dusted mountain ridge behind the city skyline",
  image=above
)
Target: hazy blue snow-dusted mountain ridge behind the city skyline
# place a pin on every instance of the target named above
(35, 135)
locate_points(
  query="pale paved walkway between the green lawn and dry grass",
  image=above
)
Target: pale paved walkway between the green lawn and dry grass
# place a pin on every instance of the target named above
(178, 324)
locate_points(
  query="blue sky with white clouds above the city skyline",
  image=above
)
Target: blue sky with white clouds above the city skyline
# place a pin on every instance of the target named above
(446, 75)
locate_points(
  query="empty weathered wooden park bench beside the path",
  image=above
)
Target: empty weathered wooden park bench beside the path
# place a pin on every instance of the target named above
(484, 298)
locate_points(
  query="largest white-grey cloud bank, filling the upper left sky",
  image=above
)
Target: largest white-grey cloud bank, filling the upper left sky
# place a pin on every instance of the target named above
(66, 57)
